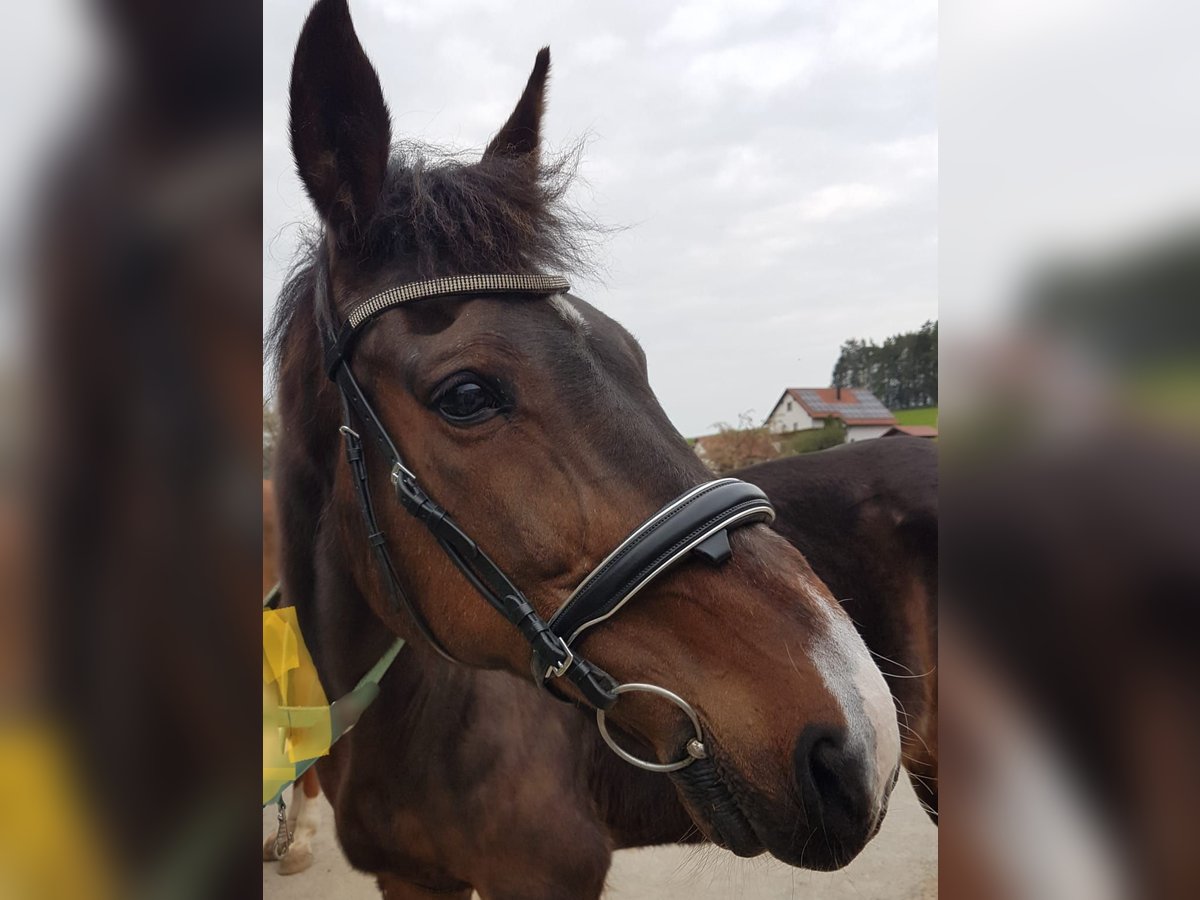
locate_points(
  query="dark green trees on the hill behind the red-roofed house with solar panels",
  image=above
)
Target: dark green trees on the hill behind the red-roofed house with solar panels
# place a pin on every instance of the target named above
(902, 371)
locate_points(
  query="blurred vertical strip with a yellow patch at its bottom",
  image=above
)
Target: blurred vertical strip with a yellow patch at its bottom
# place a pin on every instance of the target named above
(131, 225)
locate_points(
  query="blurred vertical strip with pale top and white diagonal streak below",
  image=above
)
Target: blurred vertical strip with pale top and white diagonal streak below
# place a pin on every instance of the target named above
(1070, 229)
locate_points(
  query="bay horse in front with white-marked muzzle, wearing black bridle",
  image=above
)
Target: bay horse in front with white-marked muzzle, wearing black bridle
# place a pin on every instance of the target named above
(565, 453)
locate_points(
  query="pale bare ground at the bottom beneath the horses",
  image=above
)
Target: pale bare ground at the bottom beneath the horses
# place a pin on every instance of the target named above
(899, 865)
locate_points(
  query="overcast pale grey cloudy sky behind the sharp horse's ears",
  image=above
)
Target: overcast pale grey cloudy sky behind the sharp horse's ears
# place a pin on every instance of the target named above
(773, 166)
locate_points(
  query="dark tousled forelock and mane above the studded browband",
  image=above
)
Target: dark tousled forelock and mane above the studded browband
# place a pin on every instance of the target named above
(445, 215)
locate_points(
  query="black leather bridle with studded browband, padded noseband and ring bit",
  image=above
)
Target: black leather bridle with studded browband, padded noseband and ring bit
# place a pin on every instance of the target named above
(698, 523)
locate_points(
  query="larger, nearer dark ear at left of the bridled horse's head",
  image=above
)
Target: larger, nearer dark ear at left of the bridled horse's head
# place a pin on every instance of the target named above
(341, 131)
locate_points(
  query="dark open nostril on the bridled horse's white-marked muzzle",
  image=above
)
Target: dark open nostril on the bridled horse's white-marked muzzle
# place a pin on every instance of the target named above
(835, 782)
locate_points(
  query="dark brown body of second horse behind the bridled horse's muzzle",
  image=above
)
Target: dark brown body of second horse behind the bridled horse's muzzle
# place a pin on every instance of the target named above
(866, 517)
